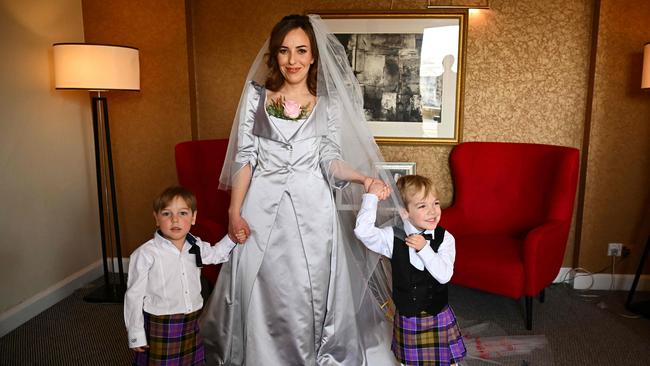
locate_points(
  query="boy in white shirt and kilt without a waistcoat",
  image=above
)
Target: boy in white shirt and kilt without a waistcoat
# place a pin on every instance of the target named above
(163, 300)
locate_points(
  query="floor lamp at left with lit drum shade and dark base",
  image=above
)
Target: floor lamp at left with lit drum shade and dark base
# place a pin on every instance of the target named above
(101, 68)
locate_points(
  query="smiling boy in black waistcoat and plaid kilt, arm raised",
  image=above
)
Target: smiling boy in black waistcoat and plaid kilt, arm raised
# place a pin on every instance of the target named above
(422, 259)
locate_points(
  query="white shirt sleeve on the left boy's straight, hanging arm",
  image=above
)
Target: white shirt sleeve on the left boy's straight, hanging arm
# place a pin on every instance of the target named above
(139, 265)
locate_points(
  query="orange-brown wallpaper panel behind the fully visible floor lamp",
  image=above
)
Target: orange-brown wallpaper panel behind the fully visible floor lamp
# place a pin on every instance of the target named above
(145, 125)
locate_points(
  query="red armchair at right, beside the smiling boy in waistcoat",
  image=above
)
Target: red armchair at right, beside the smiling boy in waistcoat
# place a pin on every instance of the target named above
(512, 210)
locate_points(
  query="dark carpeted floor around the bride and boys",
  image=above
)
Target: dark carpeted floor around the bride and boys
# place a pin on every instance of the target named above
(578, 330)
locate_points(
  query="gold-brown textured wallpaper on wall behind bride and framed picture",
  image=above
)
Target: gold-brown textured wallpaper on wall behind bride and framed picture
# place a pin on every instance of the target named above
(526, 72)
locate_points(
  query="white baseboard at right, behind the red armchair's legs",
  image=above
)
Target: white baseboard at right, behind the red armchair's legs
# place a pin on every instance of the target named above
(602, 281)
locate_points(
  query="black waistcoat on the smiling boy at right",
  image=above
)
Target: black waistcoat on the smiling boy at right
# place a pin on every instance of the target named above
(415, 291)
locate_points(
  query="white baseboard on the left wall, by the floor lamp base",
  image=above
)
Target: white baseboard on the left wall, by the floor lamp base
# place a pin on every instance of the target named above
(19, 314)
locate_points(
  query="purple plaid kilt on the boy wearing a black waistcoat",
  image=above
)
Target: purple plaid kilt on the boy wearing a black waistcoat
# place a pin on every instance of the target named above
(428, 339)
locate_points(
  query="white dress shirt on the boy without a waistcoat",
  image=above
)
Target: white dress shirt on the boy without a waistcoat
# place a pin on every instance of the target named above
(163, 281)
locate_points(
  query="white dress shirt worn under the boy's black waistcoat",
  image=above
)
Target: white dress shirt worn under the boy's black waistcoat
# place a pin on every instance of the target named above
(380, 240)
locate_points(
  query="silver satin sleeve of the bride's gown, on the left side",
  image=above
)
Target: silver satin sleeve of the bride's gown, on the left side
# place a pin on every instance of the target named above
(247, 142)
